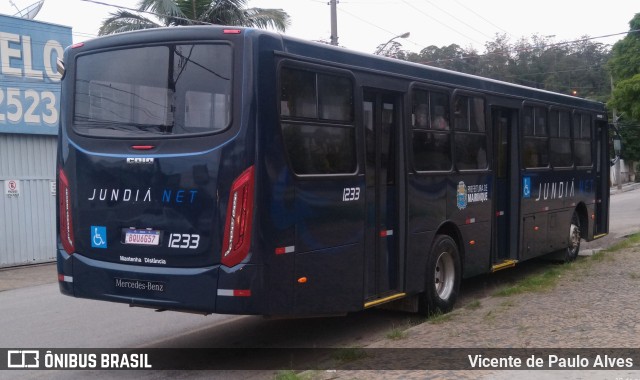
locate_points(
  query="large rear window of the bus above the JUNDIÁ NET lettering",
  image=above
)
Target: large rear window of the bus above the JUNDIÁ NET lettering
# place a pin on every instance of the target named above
(154, 90)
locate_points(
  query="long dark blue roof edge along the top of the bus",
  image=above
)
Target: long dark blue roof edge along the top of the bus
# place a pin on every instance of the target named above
(353, 60)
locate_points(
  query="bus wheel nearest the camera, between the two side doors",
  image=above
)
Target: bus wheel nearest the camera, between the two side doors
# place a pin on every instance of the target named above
(442, 277)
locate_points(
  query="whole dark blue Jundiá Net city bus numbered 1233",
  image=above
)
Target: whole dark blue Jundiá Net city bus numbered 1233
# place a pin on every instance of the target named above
(229, 170)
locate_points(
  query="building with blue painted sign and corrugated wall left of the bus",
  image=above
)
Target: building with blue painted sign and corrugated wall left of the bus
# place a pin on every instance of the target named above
(29, 116)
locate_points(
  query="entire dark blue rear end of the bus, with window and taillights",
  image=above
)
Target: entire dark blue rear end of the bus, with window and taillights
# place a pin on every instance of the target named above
(156, 176)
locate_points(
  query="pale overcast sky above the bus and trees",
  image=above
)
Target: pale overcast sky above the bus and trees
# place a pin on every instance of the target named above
(365, 24)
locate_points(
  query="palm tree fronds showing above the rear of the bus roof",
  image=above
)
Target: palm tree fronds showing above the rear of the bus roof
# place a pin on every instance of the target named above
(194, 12)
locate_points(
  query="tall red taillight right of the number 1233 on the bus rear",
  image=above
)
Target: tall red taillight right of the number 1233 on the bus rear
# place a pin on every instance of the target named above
(237, 230)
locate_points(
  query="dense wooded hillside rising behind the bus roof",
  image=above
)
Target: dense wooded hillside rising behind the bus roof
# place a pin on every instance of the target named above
(538, 62)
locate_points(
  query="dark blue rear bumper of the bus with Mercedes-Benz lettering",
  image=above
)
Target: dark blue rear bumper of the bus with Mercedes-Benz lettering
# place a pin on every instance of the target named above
(201, 290)
